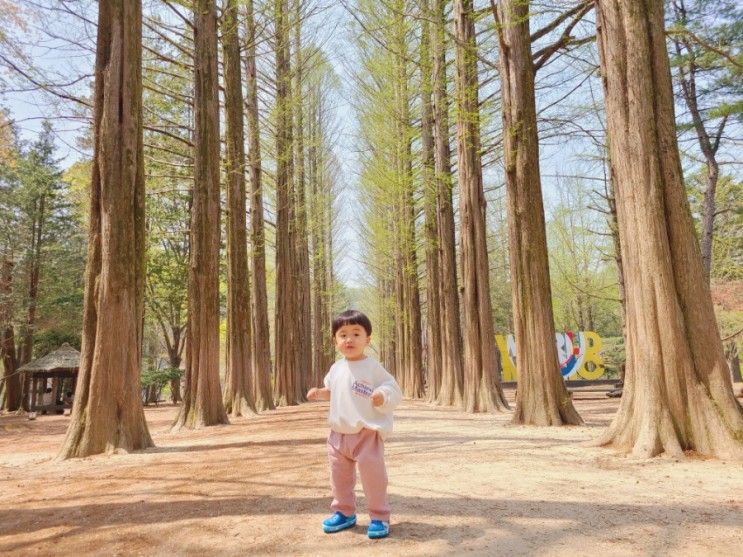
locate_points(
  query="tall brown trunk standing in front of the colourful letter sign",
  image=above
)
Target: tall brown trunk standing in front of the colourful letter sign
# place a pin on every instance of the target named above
(542, 398)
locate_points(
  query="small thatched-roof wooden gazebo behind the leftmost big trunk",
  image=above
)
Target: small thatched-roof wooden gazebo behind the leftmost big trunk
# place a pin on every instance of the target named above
(61, 367)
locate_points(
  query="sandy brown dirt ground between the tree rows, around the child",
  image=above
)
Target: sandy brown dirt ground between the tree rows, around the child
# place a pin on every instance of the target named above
(459, 484)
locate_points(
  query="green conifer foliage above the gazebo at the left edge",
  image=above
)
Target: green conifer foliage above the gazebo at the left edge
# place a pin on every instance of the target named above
(40, 232)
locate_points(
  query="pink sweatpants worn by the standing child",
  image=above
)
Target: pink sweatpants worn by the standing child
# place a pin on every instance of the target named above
(367, 449)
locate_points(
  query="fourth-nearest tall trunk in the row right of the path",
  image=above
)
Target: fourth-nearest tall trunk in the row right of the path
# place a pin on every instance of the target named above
(452, 378)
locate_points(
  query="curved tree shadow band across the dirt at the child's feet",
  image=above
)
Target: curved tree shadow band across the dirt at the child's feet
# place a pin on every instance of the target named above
(474, 517)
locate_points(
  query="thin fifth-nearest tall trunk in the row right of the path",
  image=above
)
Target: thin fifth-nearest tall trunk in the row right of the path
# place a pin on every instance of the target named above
(433, 271)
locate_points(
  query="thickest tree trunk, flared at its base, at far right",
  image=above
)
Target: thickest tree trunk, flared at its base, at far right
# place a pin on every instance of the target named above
(677, 390)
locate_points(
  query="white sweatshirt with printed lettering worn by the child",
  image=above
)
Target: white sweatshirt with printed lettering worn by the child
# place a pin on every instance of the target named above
(352, 385)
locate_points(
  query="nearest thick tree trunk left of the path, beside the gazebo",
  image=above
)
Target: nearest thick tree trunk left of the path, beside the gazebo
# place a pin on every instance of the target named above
(107, 415)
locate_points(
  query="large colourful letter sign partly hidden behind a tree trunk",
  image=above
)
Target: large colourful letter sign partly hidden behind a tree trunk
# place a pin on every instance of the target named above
(579, 355)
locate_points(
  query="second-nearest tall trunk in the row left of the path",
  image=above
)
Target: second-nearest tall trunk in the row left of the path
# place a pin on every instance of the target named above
(202, 399)
